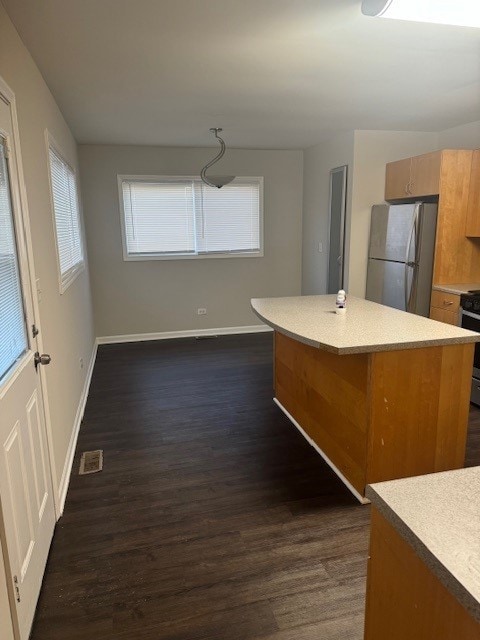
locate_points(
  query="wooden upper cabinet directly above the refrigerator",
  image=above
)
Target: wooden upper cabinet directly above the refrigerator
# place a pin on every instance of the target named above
(413, 177)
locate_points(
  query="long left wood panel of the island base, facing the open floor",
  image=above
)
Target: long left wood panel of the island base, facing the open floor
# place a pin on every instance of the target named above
(326, 394)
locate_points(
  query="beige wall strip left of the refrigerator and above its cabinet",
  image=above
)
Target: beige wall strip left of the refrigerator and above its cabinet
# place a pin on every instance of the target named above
(373, 149)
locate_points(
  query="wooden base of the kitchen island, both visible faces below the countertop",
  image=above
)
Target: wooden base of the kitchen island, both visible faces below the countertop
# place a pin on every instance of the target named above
(381, 415)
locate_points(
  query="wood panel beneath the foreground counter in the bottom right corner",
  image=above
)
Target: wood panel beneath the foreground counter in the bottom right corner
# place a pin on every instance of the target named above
(404, 598)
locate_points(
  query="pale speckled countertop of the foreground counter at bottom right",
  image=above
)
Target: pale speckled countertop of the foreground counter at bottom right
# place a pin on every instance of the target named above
(439, 516)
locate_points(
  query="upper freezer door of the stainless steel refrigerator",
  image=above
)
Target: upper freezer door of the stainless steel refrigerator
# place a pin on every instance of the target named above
(392, 232)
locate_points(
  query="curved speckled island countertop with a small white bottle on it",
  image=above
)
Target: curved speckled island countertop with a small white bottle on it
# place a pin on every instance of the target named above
(365, 327)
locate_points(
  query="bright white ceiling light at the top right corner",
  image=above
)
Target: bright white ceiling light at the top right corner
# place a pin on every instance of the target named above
(462, 13)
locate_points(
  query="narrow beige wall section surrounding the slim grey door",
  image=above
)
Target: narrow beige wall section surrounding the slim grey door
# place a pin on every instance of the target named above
(318, 161)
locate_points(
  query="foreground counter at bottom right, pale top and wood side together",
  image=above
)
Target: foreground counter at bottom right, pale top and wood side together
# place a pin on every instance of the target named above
(426, 535)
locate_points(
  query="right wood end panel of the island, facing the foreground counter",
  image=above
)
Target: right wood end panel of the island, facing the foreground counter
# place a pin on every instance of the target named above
(418, 428)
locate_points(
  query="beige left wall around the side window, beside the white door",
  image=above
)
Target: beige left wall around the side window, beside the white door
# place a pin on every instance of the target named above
(66, 321)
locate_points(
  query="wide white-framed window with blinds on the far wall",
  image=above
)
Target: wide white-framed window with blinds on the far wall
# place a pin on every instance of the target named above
(164, 217)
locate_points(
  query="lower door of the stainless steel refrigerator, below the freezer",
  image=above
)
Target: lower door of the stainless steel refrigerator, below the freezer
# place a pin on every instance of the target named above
(390, 283)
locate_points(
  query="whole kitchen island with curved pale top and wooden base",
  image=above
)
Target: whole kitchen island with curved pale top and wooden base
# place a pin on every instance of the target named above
(380, 393)
